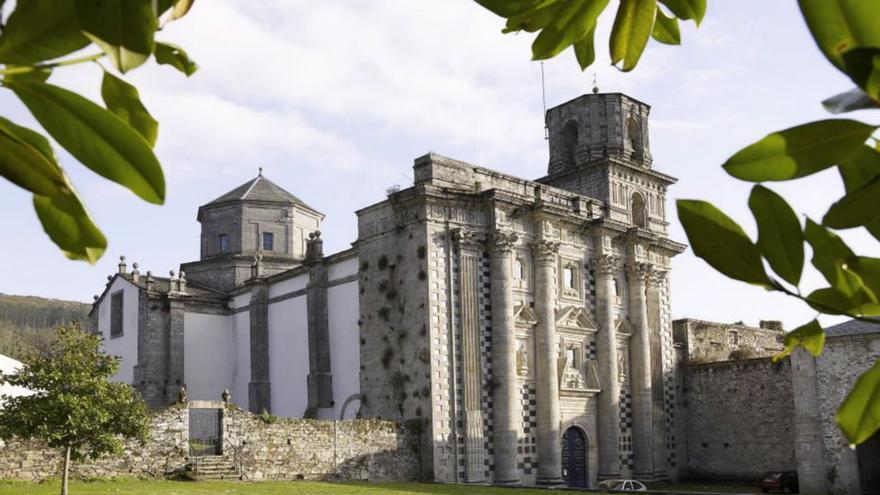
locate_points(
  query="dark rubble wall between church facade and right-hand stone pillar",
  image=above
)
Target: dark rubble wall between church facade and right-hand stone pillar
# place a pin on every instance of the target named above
(740, 419)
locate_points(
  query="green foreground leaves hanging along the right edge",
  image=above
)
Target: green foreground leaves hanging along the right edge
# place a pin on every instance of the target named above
(853, 281)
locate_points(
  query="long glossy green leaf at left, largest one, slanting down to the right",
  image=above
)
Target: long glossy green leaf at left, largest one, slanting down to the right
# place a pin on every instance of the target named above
(96, 137)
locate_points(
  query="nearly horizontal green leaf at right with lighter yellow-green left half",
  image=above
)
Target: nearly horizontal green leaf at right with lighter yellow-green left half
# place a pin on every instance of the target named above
(799, 151)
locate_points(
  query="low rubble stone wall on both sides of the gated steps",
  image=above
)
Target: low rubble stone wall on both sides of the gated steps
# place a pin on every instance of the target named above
(279, 449)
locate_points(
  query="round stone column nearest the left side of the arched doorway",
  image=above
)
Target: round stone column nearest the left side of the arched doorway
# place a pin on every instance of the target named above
(546, 372)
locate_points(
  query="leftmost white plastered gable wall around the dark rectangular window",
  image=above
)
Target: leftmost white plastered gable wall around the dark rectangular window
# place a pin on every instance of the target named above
(125, 345)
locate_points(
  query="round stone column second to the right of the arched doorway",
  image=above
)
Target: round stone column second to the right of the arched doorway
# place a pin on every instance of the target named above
(640, 378)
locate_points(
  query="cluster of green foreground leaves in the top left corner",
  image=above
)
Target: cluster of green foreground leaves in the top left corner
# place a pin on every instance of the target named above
(116, 140)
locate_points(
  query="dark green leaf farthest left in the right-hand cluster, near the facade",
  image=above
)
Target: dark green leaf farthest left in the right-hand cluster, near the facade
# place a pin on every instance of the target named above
(721, 242)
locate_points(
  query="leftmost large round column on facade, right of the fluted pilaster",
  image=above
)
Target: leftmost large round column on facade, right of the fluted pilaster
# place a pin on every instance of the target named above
(507, 415)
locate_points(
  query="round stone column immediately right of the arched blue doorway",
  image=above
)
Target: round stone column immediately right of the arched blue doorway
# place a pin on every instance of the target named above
(606, 348)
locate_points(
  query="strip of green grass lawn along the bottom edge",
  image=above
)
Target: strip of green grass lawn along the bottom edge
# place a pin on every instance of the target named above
(131, 487)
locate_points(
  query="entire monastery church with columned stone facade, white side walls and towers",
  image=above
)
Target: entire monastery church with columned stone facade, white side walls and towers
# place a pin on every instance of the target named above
(524, 323)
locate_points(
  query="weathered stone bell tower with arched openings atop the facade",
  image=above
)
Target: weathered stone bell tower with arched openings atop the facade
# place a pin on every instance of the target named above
(599, 147)
